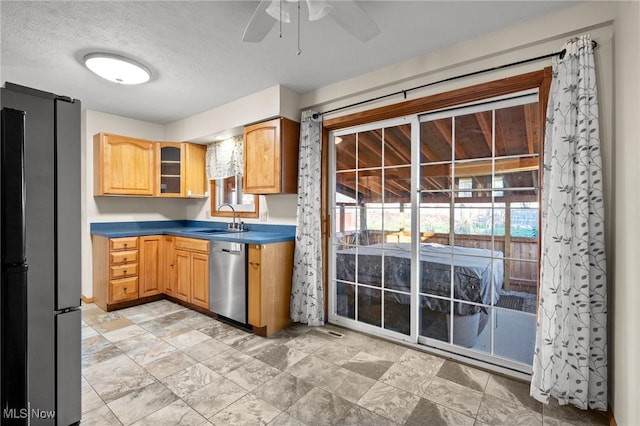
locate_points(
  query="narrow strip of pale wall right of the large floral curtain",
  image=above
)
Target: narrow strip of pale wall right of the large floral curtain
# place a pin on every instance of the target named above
(625, 293)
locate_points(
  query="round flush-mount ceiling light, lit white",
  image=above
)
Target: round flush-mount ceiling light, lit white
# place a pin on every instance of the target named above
(117, 68)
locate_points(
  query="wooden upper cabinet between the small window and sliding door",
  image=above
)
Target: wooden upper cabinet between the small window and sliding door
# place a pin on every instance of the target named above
(271, 157)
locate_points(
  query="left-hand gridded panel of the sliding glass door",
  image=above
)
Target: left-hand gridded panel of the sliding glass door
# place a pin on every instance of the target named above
(372, 224)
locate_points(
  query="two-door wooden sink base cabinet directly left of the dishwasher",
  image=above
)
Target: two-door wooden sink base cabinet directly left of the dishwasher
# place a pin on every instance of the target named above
(192, 271)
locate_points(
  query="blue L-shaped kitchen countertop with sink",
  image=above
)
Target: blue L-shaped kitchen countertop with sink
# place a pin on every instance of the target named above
(255, 234)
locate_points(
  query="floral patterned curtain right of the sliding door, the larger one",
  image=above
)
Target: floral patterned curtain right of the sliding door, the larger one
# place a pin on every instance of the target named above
(570, 359)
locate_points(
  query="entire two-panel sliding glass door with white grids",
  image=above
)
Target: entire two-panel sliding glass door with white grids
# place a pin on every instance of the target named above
(435, 229)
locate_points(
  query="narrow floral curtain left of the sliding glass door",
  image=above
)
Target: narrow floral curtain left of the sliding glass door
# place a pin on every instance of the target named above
(307, 295)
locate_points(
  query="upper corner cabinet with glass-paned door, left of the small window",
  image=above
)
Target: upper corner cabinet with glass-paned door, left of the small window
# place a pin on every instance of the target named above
(181, 170)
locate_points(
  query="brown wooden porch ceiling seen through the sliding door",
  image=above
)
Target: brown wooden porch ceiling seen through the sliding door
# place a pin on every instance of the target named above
(451, 148)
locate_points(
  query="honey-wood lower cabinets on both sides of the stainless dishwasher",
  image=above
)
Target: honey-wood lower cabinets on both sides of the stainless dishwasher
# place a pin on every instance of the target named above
(133, 270)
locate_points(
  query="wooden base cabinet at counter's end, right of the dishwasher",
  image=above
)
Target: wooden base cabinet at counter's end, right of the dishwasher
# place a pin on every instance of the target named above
(269, 275)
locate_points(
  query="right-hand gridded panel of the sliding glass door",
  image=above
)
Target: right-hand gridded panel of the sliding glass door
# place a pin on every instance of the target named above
(479, 220)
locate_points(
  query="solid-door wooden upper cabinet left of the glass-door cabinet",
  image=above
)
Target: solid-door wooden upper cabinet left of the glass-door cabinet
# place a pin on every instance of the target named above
(123, 165)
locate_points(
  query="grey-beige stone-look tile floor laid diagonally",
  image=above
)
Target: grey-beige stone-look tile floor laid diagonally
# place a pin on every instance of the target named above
(163, 364)
